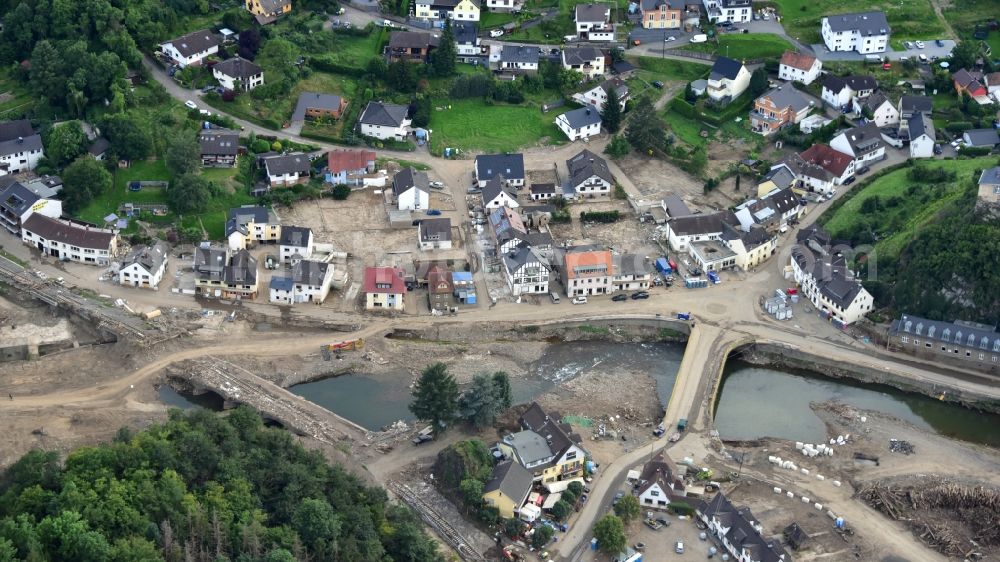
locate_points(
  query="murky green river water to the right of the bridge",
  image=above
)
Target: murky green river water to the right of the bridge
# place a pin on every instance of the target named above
(757, 402)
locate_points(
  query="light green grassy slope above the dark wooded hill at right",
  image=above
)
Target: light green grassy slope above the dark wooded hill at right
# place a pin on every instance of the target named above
(909, 215)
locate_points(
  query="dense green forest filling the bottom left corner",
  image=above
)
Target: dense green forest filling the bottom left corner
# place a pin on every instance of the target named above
(200, 487)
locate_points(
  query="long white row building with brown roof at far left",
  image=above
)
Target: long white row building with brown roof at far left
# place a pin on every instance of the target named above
(69, 240)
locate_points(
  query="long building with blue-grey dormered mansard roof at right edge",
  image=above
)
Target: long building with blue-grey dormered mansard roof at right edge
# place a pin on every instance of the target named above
(963, 343)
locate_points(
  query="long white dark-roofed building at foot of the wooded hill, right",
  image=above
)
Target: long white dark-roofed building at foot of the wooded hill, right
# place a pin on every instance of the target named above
(824, 277)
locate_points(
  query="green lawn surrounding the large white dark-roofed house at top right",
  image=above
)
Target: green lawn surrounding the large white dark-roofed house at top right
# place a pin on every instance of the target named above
(909, 19)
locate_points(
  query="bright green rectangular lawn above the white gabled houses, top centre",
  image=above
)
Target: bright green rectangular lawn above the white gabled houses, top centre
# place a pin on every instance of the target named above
(470, 124)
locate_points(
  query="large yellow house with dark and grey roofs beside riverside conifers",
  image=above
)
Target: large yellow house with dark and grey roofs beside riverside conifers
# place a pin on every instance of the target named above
(545, 447)
